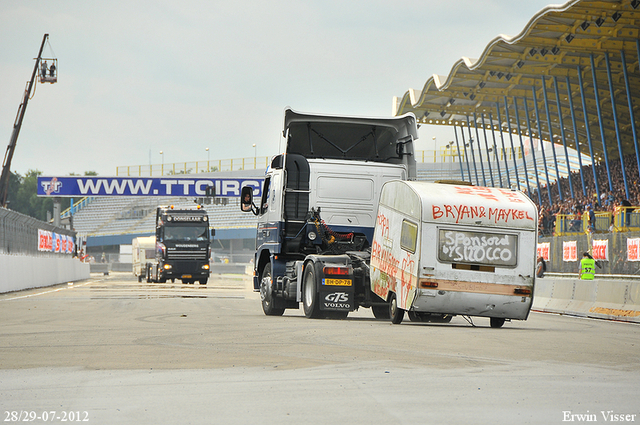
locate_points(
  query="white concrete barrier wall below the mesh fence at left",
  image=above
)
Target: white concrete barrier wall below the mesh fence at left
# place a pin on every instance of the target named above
(18, 272)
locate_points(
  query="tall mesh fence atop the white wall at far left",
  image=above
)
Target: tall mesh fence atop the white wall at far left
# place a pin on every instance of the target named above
(19, 234)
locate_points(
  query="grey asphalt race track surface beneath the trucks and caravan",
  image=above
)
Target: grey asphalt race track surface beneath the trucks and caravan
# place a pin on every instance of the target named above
(112, 350)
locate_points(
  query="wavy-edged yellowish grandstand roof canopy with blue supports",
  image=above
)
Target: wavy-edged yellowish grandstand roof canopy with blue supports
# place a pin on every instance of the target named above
(562, 46)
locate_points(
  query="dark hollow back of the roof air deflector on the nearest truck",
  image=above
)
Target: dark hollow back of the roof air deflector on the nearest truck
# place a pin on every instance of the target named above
(343, 141)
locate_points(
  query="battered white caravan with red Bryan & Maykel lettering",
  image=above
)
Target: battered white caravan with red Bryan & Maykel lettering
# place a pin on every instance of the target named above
(441, 250)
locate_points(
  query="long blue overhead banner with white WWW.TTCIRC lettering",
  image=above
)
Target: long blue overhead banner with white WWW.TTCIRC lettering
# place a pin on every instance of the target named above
(128, 186)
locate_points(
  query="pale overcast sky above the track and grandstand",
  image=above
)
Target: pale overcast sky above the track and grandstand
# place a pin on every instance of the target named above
(140, 77)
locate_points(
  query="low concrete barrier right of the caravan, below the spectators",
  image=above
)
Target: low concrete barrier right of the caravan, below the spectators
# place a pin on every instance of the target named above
(602, 298)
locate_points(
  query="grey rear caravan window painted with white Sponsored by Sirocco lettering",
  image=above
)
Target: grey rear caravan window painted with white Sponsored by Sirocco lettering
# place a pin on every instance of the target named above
(478, 248)
